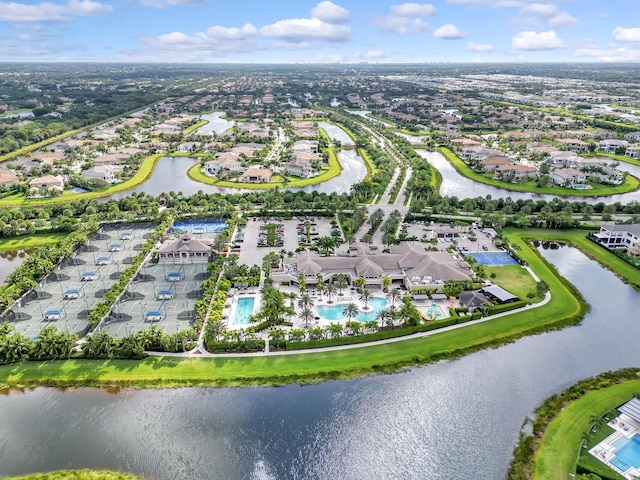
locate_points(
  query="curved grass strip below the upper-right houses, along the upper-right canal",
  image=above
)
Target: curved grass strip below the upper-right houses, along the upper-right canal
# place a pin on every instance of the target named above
(631, 183)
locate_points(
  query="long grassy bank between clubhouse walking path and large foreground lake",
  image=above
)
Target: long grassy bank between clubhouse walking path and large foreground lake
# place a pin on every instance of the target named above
(566, 307)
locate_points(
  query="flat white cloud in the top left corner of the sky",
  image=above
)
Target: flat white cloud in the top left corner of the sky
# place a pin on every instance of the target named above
(47, 11)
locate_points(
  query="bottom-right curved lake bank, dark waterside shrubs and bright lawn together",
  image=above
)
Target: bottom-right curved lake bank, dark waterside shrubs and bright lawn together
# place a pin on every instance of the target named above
(551, 451)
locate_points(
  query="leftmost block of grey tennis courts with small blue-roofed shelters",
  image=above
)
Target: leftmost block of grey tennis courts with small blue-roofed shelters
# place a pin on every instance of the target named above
(70, 292)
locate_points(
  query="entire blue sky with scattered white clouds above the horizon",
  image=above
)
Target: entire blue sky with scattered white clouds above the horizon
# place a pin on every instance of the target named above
(287, 31)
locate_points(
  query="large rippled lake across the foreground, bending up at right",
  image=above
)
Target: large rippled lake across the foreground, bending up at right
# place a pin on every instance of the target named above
(455, 419)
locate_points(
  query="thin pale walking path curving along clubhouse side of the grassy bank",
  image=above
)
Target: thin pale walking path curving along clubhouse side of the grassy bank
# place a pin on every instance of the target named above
(191, 354)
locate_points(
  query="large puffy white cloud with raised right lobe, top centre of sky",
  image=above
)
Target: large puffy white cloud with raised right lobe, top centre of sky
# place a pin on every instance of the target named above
(316, 28)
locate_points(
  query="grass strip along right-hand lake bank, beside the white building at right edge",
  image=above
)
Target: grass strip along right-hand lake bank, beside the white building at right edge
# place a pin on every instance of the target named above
(578, 238)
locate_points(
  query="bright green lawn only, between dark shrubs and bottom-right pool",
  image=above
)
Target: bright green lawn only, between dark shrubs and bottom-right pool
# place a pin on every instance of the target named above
(560, 445)
